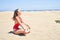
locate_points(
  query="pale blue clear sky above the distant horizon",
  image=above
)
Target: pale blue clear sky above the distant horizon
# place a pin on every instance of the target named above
(29, 4)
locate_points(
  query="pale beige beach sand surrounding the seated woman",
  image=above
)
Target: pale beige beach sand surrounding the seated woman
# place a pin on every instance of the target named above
(42, 23)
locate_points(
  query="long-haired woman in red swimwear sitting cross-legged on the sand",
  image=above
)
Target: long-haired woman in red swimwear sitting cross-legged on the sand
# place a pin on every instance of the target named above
(18, 28)
